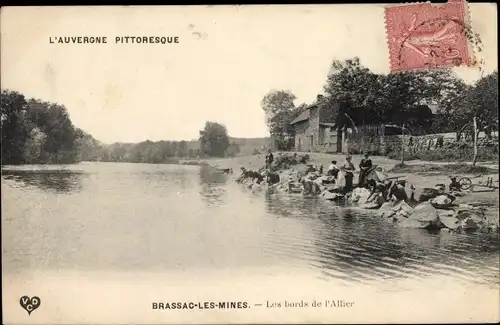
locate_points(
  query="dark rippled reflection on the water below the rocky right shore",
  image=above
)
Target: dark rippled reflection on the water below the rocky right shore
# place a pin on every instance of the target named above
(354, 246)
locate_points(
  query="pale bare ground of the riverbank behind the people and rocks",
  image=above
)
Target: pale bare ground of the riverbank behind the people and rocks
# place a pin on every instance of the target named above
(419, 174)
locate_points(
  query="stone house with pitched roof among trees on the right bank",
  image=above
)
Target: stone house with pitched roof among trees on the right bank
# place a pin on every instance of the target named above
(314, 132)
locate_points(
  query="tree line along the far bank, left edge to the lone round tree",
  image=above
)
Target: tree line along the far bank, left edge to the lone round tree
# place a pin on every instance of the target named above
(39, 132)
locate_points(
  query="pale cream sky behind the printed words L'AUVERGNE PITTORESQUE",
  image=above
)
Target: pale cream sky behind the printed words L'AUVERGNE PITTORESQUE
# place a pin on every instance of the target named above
(227, 59)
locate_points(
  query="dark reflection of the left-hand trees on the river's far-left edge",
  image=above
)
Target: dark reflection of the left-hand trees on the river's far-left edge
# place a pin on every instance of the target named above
(58, 181)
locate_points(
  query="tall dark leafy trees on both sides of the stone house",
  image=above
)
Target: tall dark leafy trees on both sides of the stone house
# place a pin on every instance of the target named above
(353, 95)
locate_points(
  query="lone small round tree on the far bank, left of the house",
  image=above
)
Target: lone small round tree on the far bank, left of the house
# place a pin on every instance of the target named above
(214, 140)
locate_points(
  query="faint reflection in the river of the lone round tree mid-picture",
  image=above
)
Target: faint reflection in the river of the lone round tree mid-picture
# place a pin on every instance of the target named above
(212, 186)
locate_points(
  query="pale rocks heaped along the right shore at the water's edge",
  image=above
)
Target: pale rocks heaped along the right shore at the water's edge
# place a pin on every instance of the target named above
(435, 209)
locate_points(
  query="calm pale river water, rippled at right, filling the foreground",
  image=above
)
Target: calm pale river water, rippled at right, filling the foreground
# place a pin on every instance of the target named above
(96, 221)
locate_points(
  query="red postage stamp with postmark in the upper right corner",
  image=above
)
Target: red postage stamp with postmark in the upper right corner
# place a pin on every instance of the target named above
(425, 35)
